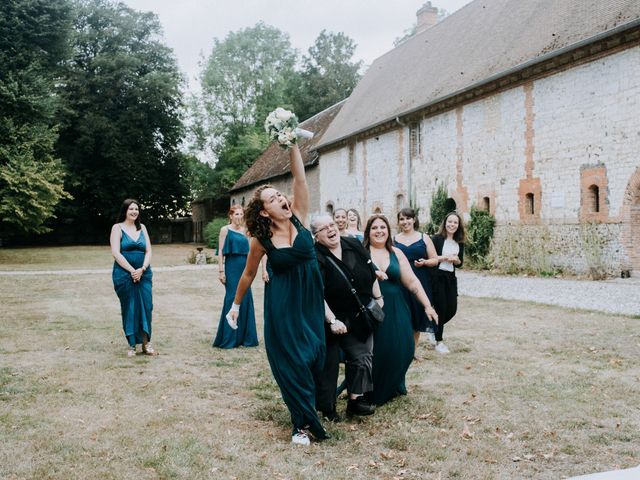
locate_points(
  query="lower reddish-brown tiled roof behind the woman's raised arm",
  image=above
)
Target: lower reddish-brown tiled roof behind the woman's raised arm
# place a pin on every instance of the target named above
(274, 162)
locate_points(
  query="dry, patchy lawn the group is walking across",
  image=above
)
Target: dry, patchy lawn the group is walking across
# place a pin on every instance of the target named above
(529, 391)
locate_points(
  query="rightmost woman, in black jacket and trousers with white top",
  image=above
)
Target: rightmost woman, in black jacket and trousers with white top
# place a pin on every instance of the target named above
(449, 243)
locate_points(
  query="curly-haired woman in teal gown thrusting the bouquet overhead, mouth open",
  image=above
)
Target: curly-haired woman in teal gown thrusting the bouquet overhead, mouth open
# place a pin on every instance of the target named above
(293, 297)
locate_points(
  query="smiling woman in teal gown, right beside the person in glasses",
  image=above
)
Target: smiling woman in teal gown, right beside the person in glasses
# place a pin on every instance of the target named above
(393, 345)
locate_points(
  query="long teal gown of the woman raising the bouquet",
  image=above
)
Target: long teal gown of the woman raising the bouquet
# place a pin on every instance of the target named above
(294, 326)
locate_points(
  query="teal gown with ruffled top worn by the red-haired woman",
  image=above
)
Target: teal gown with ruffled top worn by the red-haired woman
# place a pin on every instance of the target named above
(235, 250)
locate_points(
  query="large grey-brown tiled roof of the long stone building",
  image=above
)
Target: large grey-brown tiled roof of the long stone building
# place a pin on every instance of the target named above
(482, 40)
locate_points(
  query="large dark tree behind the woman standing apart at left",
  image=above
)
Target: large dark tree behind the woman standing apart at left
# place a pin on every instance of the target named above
(123, 118)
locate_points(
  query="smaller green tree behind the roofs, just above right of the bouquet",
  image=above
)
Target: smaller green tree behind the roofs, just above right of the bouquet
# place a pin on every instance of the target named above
(328, 76)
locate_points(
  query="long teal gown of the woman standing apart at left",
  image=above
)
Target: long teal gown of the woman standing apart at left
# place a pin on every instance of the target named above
(136, 301)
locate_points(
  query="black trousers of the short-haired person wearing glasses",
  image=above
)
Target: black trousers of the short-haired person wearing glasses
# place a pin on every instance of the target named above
(358, 368)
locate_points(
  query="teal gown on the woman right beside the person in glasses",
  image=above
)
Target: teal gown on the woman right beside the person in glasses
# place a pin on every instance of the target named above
(393, 341)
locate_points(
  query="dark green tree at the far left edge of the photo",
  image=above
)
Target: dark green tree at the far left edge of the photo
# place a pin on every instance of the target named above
(33, 45)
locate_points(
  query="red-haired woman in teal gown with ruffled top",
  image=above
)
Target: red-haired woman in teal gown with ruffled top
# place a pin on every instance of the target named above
(233, 248)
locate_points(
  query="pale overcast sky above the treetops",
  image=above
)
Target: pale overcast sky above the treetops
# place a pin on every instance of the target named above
(191, 25)
